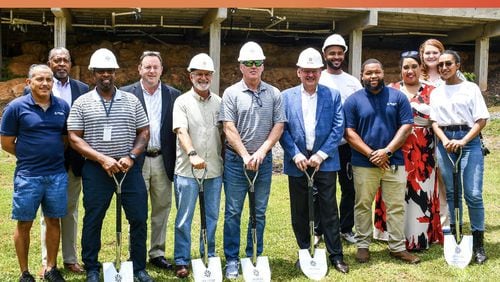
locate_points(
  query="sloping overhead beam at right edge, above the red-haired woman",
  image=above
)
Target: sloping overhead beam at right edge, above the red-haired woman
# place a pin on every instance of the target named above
(471, 33)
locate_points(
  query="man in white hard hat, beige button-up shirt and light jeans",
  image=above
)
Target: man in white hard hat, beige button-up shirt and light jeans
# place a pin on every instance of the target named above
(199, 146)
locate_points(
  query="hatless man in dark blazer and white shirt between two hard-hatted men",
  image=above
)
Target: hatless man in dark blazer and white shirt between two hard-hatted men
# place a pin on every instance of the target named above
(158, 160)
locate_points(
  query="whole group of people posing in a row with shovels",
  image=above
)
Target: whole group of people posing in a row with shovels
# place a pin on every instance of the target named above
(379, 140)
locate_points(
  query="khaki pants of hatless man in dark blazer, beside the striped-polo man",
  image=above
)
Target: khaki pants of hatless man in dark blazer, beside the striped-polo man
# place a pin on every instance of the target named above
(160, 195)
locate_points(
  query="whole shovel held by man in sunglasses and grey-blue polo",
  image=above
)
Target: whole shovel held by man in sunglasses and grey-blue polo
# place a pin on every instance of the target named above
(256, 268)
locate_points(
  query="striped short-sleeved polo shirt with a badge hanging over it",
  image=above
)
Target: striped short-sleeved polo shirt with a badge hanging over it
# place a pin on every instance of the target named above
(125, 116)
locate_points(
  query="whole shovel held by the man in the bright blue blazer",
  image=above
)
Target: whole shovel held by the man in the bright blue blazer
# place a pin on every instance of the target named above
(313, 261)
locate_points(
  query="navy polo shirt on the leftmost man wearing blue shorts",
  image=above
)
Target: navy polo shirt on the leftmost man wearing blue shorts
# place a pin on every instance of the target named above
(39, 143)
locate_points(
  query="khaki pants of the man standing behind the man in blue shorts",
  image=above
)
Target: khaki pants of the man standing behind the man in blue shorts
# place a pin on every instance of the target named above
(69, 223)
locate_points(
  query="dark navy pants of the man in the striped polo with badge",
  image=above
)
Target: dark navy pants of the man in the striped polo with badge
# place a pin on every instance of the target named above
(98, 190)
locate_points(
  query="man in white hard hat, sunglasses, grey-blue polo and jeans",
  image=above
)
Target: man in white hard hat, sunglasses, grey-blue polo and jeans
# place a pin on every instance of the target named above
(253, 120)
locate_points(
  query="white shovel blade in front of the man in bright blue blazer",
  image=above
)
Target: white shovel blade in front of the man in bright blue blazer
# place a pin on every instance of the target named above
(315, 268)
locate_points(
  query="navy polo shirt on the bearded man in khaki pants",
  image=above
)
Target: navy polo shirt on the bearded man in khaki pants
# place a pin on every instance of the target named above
(376, 118)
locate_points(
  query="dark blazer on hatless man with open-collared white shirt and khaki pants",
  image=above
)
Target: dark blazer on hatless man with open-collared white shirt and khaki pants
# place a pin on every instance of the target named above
(167, 136)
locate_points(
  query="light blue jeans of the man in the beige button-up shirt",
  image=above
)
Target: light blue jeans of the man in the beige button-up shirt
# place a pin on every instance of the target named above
(186, 193)
